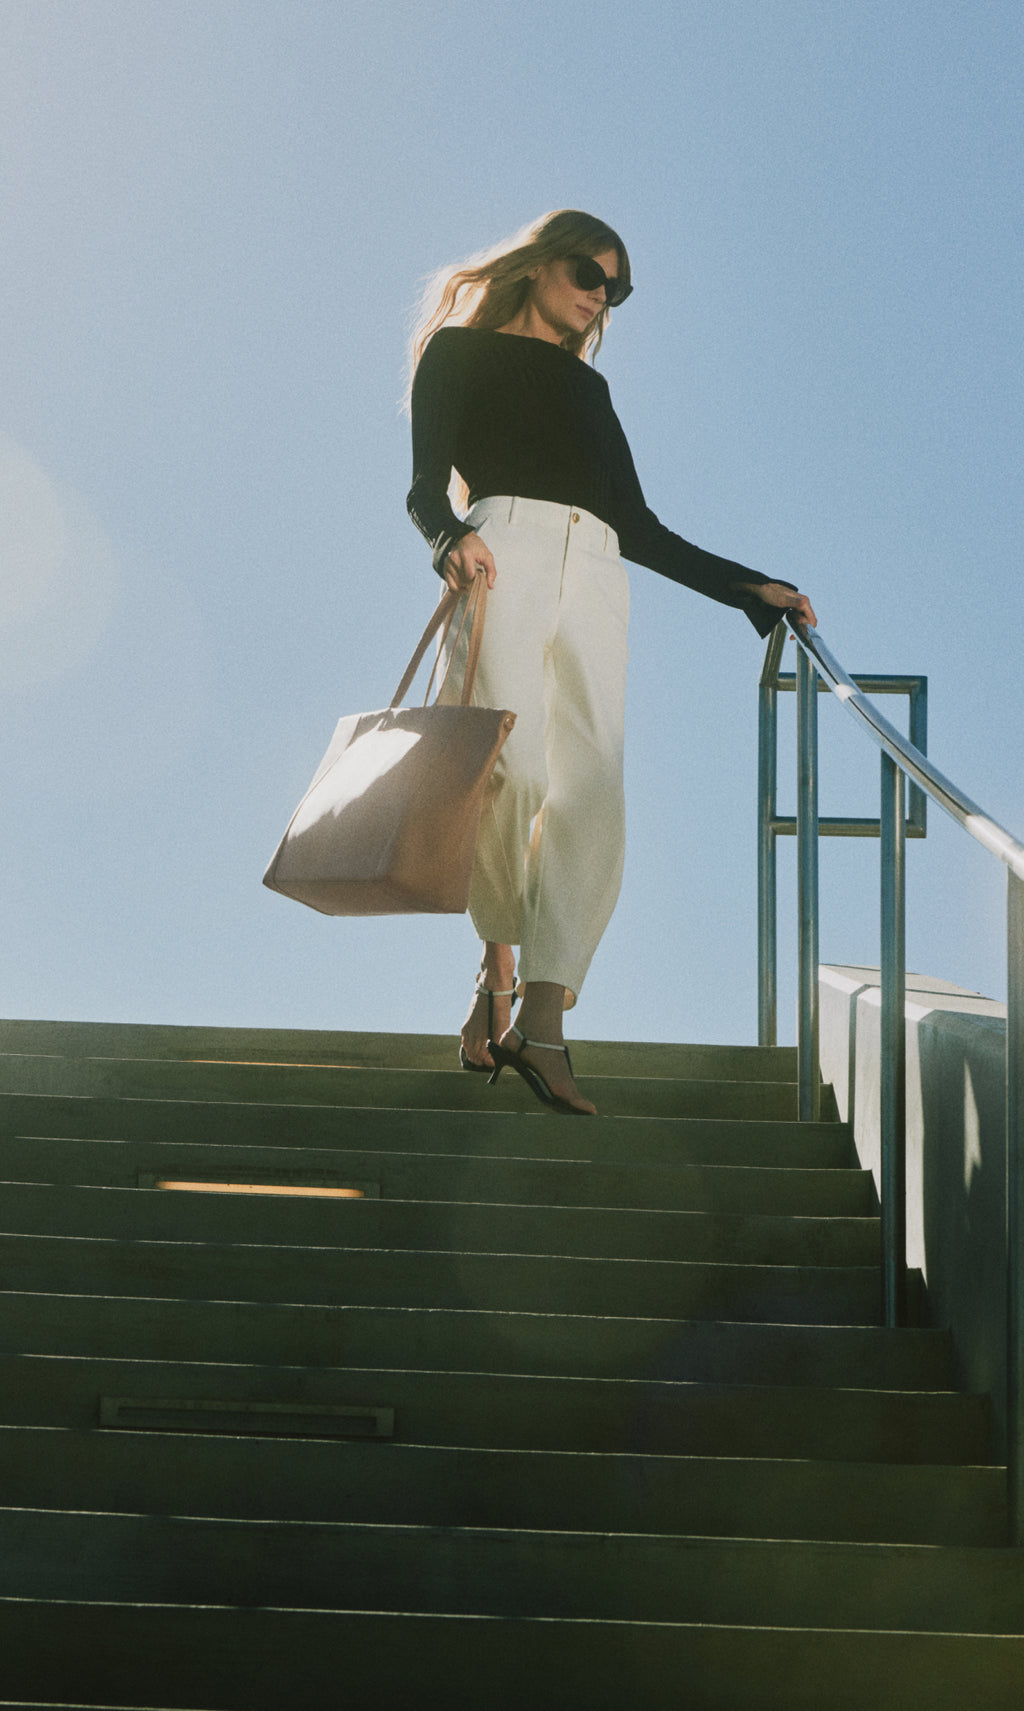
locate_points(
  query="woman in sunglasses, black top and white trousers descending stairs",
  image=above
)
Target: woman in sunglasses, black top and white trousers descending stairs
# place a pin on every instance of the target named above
(503, 394)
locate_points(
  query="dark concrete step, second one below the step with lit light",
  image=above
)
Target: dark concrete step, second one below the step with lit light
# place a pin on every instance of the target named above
(669, 1289)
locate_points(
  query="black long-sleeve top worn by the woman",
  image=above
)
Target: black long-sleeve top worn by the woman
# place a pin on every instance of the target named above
(525, 417)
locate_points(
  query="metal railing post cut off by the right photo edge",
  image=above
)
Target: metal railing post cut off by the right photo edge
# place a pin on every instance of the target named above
(1016, 1207)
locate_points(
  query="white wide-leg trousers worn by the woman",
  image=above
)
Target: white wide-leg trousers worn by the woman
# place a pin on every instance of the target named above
(552, 839)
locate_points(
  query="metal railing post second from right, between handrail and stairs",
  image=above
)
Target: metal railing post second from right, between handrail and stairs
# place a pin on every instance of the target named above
(893, 1045)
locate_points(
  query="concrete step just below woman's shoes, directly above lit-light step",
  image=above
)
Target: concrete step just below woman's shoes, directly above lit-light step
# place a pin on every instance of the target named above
(489, 1134)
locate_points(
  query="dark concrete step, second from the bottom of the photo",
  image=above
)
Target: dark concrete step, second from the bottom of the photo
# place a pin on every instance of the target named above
(491, 1572)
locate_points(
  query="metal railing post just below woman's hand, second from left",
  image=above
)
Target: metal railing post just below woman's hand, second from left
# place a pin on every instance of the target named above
(807, 887)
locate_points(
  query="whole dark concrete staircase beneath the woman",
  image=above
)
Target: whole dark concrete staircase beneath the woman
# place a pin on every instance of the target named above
(556, 1414)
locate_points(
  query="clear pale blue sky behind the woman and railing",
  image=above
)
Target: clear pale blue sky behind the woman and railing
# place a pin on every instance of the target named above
(215, 222)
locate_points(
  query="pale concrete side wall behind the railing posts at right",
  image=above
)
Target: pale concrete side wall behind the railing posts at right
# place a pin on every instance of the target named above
(956, 1149)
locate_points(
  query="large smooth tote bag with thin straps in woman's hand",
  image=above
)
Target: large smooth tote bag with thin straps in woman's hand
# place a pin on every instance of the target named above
(390, 824)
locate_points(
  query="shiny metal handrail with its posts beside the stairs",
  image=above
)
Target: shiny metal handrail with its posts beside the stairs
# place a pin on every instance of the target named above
(902, 759)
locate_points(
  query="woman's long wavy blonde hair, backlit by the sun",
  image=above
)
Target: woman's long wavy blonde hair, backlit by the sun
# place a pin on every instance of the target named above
(489, 290)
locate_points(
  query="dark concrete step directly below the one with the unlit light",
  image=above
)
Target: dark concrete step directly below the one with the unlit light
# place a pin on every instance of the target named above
(559, 1491)
